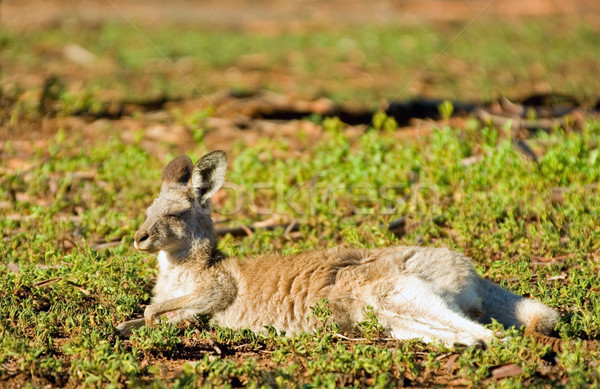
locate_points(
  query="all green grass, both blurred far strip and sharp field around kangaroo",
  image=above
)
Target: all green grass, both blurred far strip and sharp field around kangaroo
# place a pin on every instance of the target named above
(70, 208)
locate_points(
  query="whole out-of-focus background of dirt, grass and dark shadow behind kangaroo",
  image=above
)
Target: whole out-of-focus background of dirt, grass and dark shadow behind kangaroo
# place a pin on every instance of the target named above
(67, 64)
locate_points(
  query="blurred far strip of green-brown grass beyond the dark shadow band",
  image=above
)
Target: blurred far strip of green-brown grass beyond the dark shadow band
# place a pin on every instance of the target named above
(365, 65)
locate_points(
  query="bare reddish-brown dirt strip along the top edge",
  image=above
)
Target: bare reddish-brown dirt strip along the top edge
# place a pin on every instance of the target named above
(269, 14)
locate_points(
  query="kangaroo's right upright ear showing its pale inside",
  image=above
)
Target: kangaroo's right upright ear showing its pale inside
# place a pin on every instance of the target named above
(208, 175)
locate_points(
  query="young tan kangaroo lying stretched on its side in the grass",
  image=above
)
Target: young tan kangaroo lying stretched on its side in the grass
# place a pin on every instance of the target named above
(432, 294)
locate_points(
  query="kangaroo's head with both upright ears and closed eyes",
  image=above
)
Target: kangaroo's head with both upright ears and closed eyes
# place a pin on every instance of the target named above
(178, 221)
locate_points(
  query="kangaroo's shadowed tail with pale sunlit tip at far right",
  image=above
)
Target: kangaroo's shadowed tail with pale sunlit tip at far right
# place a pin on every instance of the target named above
(512, 310)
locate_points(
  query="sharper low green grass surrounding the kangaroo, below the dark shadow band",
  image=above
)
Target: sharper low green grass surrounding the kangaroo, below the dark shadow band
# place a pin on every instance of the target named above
(500, 211)
